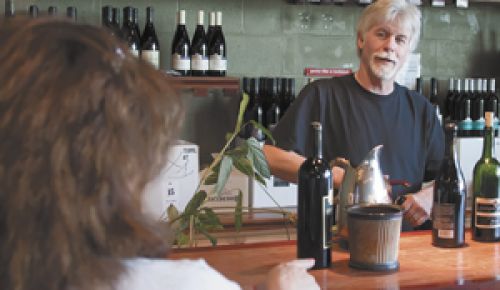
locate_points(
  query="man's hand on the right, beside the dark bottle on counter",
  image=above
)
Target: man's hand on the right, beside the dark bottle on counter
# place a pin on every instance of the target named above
(418, 206)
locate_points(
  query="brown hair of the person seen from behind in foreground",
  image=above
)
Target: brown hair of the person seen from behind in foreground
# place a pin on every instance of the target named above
(83, 126)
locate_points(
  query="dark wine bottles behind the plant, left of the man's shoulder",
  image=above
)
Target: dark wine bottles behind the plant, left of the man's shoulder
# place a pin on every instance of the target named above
(269, 100)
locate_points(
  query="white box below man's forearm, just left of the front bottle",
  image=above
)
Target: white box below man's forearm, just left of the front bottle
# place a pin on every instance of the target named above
(283, 192)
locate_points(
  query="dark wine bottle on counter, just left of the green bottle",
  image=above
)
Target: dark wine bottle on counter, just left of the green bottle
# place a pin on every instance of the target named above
(448, 210)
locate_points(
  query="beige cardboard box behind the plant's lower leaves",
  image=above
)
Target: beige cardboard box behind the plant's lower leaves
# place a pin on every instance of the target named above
(226, 200)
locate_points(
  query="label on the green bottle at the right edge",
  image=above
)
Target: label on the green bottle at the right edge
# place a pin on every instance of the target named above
(487, 213)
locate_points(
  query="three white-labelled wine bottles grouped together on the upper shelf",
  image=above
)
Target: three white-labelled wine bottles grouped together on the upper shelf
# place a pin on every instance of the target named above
(206, 53)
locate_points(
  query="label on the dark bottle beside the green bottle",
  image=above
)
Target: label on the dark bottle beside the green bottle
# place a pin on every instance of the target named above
(443, 220)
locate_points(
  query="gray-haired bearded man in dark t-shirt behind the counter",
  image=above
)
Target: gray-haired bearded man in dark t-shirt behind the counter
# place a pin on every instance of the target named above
(368, 108)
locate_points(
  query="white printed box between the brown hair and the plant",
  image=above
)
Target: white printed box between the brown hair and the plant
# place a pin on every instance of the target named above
(176, 182)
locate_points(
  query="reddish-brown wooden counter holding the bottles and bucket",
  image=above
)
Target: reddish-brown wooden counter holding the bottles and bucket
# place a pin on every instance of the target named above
(422, 266)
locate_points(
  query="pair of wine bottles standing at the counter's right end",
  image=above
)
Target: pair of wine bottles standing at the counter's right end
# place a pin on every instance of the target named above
(448, 212)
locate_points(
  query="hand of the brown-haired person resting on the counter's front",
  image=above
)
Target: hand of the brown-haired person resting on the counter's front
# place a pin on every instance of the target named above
(292, 276)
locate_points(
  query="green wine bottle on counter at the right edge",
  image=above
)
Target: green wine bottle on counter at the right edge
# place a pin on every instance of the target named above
(485, 221)
